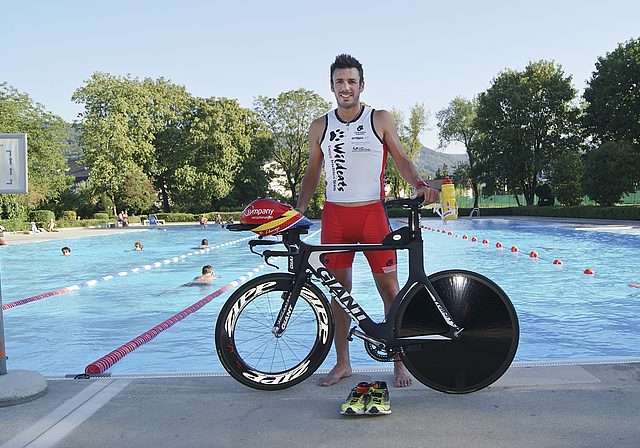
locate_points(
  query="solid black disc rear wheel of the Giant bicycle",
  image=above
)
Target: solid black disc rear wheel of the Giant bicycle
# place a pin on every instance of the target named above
(486, 346)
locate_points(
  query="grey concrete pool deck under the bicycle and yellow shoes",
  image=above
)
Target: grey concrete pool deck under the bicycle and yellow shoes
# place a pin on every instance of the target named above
(530, 406)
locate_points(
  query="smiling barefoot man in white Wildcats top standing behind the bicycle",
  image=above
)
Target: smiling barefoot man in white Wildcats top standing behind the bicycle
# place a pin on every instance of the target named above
(352, 141)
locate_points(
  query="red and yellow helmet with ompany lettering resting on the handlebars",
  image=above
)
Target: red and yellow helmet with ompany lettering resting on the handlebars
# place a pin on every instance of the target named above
(272, 216)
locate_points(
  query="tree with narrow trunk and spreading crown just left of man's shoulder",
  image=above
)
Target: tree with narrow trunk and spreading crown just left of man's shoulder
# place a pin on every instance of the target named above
(288, 118)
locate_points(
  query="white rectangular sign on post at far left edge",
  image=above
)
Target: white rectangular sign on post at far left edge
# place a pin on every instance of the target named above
(13, 164)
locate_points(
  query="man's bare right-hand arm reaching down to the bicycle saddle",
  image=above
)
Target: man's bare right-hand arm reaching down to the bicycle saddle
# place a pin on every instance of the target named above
(386, 127)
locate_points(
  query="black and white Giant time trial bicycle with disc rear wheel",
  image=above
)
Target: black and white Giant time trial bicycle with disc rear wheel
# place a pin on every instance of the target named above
(456, 331)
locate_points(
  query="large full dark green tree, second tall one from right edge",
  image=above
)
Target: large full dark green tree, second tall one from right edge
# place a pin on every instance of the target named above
(525, 118)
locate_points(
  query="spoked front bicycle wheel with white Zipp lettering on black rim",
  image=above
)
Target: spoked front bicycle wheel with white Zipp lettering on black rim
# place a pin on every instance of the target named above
(250, 352)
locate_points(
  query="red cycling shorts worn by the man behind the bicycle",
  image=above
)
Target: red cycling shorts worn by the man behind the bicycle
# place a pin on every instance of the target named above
(367, 224)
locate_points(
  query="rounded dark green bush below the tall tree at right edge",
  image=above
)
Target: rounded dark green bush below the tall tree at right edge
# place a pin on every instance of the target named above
(610, 171)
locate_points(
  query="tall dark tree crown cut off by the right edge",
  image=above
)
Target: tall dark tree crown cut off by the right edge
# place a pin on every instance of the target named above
(613, 97)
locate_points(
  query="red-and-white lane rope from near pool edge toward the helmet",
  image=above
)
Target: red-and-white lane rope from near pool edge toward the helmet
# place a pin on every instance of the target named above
(103, 364)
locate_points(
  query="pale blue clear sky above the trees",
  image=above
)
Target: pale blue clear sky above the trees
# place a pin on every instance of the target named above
(413, 52)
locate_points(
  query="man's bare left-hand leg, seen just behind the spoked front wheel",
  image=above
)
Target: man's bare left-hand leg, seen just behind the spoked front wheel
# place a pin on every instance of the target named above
(342, 369)
